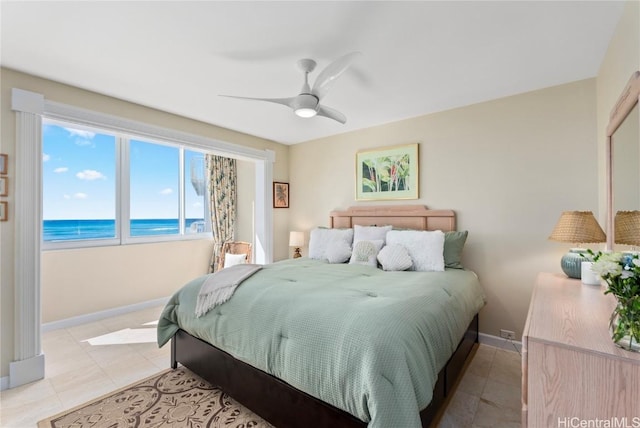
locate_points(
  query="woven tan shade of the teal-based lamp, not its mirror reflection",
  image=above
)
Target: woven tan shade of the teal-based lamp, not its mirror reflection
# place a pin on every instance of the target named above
(578, 227)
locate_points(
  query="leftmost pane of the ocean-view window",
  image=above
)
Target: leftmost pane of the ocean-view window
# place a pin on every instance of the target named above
(78, 183)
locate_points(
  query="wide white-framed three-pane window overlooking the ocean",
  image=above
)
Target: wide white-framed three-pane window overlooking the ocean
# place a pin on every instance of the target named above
(101, 188)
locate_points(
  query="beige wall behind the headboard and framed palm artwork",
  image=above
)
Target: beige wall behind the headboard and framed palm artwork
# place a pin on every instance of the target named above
(507, 167)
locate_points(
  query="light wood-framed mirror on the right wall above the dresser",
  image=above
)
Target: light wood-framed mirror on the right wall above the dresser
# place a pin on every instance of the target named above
(623, 156)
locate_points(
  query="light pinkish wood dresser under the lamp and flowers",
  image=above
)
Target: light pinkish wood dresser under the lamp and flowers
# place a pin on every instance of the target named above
(571, 370)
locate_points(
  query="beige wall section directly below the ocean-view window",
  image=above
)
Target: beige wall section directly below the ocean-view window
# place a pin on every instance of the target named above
(84, 281)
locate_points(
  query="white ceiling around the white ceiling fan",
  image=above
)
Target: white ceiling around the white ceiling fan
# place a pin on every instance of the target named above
(418, 57)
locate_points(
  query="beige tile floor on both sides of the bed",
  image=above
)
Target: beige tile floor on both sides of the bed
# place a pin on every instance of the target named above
(123, 349)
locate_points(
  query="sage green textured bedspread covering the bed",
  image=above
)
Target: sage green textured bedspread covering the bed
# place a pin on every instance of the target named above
(366, 341)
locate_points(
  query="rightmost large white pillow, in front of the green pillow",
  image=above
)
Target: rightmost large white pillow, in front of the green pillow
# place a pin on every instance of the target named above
(426, 248)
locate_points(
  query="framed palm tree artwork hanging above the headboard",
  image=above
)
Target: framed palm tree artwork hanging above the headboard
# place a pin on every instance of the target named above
(387, 173)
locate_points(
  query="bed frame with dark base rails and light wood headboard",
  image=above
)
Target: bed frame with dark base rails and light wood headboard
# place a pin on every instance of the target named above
(285, 406)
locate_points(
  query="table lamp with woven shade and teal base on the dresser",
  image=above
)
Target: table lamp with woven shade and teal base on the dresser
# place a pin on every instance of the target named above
(576, 227)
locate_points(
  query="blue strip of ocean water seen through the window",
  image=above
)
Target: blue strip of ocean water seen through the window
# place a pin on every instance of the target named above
(65, 230)
